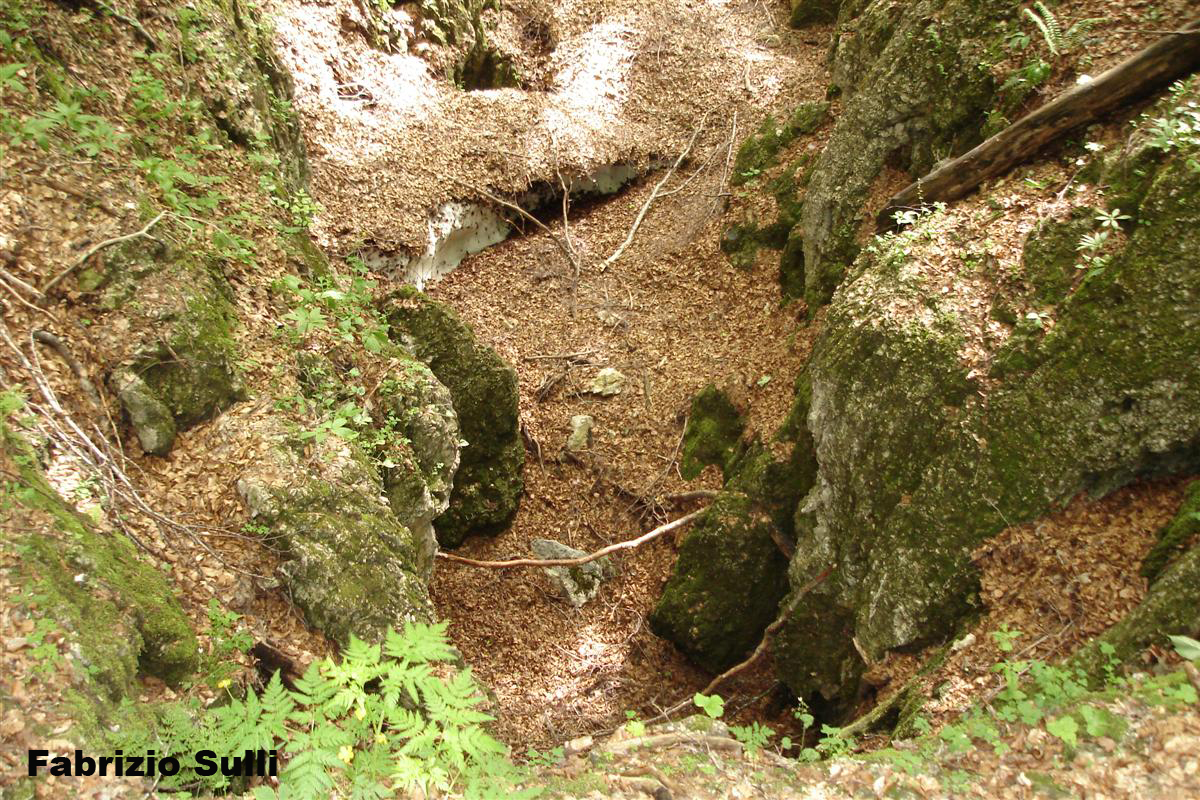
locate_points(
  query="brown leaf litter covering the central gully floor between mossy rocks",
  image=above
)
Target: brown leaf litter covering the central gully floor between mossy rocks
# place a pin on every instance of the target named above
(671, 314)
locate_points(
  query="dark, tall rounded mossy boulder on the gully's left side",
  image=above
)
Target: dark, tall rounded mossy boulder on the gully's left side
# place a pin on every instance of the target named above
(484, 389)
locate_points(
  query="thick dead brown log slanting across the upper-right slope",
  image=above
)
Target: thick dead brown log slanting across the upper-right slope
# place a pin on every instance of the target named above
(1168, 59)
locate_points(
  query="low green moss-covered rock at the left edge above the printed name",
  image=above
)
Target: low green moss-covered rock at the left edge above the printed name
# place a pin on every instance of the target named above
(119, 613)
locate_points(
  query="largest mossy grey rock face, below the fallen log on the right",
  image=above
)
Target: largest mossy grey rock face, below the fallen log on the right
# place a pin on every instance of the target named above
(927, 449)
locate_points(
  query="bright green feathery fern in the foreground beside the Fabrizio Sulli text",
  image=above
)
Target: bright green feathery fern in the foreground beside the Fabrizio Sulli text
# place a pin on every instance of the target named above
(391, 720)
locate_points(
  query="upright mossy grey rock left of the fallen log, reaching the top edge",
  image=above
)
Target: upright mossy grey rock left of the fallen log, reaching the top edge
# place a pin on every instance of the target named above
(919, 88)
